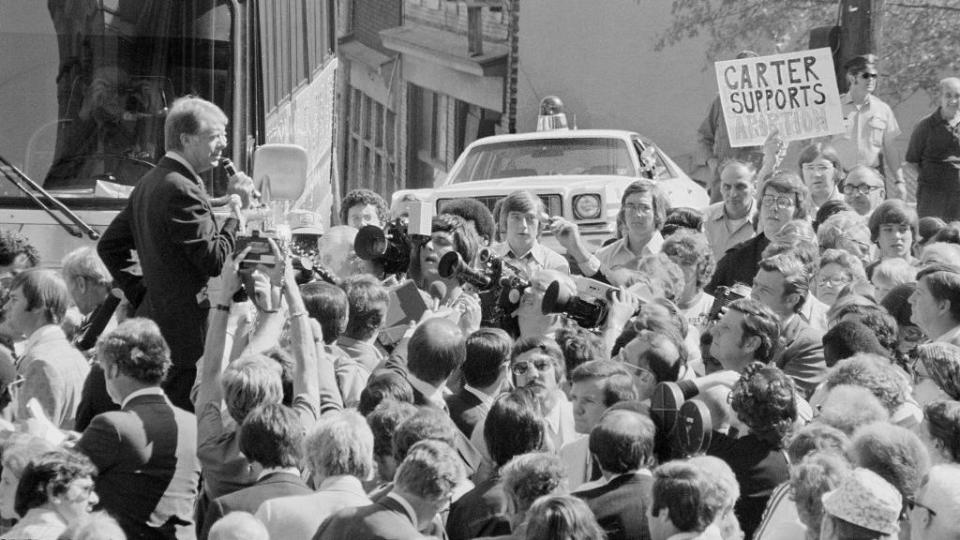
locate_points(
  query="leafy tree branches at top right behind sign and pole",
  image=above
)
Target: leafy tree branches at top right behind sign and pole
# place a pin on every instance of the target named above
(920, 40)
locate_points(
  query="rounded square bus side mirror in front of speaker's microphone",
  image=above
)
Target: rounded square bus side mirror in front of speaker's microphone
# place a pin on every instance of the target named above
(280, 171)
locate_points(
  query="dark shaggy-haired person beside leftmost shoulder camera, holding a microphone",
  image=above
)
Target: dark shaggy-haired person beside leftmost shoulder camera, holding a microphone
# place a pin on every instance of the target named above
(449, 233)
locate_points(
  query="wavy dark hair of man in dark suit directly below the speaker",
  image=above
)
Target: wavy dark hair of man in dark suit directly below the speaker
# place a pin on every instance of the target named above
(138, 349)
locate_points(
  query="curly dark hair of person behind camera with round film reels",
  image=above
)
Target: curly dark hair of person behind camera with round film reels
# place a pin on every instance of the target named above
(765, 400)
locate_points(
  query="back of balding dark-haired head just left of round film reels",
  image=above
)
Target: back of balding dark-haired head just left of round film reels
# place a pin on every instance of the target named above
(623, 441)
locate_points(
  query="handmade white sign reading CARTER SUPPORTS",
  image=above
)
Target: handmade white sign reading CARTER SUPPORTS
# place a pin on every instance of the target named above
(794, 93)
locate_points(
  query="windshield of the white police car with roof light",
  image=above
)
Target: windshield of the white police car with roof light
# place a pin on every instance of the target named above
(544, 157)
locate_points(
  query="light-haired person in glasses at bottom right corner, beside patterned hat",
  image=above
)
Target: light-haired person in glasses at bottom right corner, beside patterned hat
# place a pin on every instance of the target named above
(936, 505)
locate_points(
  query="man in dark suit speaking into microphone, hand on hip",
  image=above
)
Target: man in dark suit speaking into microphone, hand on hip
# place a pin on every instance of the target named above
(166, 244)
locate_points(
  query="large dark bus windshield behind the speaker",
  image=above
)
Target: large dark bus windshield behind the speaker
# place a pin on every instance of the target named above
(85, 86)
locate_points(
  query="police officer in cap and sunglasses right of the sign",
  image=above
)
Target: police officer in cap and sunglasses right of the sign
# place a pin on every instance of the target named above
(870, 126)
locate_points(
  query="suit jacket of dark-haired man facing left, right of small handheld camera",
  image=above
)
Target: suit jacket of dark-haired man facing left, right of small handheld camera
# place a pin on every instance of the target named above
(802, 355)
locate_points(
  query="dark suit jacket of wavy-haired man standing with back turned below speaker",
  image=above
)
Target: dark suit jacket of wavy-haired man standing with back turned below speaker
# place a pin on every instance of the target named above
(147, 457)
